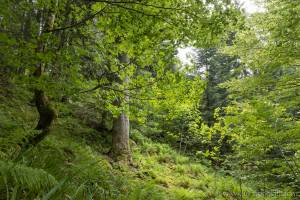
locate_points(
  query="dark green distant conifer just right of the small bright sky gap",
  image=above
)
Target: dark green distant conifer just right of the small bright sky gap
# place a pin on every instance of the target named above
(216, 68)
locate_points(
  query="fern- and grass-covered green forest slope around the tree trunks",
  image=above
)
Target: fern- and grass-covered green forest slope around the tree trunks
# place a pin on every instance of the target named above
(75, 156)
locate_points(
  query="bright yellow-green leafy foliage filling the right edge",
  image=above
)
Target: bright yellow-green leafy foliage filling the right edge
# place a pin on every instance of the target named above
(265, 113)
